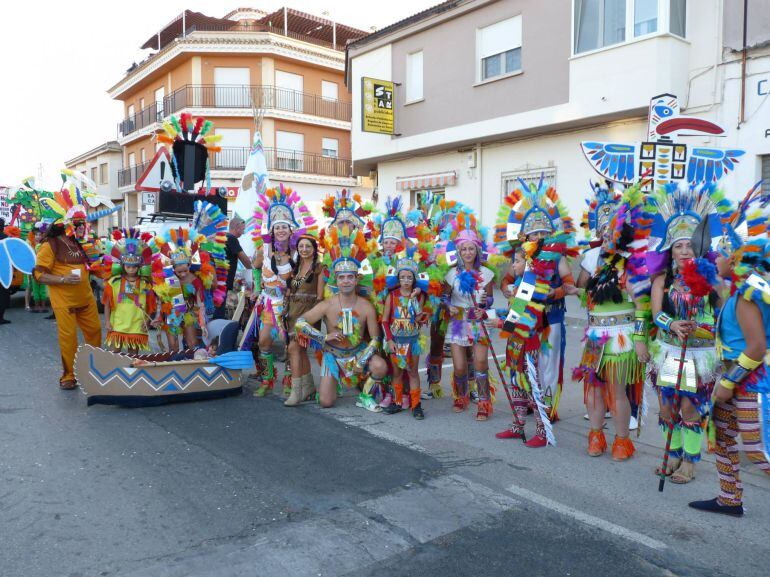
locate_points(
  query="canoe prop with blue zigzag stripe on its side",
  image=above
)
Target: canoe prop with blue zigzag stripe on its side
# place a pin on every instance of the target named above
(115, 379)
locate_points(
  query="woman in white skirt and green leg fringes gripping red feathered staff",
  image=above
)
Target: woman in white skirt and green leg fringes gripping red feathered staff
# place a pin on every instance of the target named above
(678, 213)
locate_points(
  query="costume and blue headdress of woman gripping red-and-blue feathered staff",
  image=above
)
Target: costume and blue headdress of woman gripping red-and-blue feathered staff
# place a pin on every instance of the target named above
(678, 214)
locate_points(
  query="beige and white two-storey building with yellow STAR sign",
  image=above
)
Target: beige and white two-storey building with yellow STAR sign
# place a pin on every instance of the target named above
(490, 91)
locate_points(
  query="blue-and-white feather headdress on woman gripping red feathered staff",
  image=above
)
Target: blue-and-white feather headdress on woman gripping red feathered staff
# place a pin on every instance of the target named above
(679, 211)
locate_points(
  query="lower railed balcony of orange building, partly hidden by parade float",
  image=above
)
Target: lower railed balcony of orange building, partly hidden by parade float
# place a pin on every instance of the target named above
(277, 160)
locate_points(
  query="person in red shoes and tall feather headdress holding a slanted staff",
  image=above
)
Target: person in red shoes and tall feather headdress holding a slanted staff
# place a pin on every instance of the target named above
(533, 216)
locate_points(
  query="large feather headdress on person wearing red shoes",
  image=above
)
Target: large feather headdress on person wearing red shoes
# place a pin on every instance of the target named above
(529, 209)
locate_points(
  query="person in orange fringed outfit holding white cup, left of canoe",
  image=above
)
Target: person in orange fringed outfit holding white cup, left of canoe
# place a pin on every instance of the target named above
(64, 261)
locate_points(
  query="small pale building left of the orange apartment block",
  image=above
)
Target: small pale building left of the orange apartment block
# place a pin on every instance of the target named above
(103, 165)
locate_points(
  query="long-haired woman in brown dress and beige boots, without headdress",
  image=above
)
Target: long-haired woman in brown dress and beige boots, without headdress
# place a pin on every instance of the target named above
(306, 289)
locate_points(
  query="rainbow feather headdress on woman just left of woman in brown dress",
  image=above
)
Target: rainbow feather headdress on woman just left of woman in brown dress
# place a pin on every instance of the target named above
(282, 205)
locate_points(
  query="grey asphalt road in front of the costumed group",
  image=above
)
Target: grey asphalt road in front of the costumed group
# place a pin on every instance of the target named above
(244, 486)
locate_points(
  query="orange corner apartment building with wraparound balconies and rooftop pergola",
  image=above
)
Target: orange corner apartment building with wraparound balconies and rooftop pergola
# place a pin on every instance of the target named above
(287, 65)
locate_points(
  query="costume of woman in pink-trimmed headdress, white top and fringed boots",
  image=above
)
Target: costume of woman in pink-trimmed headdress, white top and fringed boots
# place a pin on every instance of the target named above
(466, 291)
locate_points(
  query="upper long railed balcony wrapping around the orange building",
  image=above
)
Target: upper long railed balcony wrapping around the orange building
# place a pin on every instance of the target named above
(236, 96)
